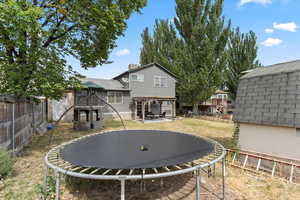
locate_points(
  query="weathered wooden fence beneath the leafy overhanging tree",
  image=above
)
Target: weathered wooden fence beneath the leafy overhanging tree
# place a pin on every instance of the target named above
(18, 122)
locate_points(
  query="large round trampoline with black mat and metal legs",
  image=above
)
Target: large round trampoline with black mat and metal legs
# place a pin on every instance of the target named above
(133, 155)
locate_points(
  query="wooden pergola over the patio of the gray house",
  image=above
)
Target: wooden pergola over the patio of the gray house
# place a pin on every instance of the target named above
(147, 100)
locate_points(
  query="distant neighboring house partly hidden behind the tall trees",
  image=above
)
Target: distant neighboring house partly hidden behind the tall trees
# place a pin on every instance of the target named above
(219, 103)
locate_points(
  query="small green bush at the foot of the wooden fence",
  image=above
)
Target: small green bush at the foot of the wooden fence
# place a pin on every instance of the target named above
(6, 163)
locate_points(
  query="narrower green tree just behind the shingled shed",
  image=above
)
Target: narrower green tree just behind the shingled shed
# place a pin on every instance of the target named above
(242, 56)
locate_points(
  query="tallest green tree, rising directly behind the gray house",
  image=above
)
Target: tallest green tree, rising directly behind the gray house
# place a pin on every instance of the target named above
(194, 48)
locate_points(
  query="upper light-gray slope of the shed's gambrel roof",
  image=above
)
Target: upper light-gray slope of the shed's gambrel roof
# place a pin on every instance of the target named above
(274, 69)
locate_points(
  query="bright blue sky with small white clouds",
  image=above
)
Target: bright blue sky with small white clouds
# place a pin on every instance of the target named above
(275, 22)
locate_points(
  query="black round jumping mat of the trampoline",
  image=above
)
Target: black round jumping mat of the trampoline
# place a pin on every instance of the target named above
(132, 149)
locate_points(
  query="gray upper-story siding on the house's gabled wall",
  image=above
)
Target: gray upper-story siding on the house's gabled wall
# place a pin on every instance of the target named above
(147, 89)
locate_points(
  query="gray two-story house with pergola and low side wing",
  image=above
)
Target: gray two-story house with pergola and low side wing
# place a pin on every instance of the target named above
(138, 93)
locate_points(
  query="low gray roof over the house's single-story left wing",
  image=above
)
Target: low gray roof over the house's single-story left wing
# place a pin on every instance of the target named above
(106, 84)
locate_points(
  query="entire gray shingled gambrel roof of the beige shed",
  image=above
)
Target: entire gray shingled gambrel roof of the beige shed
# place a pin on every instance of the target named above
(270, 96)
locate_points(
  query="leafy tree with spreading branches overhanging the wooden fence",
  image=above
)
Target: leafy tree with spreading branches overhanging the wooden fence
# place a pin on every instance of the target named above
(37, 36)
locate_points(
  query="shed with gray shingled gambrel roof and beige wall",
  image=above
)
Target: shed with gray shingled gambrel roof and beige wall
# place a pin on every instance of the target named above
(267, 108)
